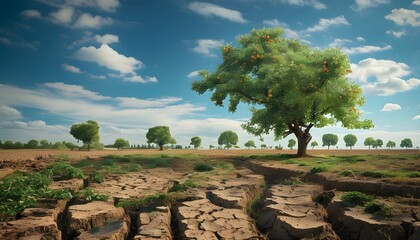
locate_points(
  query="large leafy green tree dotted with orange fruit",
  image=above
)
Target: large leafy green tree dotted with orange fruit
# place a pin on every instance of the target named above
(296, 87)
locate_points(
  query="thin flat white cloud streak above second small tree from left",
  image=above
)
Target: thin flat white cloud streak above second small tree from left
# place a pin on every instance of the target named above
(147, 103)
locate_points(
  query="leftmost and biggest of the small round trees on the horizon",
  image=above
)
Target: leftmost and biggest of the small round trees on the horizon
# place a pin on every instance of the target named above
(87, 132)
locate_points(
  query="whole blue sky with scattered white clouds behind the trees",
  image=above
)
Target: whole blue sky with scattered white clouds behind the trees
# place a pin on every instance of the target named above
(129, 64)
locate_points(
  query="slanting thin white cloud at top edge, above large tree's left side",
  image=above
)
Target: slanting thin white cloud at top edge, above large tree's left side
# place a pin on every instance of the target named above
(209, 10)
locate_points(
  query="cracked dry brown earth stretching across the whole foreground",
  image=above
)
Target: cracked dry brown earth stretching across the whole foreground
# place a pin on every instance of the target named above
(219, 209)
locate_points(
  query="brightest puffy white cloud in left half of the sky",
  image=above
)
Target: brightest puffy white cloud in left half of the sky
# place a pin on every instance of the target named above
(107, 57)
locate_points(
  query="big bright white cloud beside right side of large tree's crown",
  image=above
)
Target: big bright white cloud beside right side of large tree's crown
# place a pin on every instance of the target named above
(383, 77)
